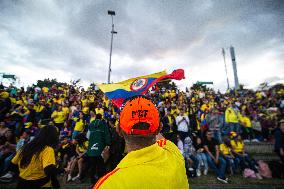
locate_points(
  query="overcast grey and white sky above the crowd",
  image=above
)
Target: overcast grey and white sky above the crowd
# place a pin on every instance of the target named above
(70, 39)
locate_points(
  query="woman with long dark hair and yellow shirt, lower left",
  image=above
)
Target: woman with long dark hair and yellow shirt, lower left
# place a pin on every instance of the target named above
(36, 161)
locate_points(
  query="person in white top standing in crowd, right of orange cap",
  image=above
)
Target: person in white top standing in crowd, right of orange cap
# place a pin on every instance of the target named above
(182, 122)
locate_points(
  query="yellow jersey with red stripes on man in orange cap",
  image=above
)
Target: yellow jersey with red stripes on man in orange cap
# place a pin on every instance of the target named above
(156, 166)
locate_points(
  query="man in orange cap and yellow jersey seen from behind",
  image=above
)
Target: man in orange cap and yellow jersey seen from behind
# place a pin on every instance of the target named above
(148, 164)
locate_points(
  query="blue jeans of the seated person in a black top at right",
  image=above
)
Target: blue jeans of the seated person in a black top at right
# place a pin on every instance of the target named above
(218, 169)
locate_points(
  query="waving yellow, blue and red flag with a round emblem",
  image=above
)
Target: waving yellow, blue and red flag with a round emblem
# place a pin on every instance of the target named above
(118, 92)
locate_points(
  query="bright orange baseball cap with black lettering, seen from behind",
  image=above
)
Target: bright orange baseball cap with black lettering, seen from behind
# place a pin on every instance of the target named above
(139, 110)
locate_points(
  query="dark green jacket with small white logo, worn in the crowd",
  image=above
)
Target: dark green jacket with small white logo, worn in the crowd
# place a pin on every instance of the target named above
(99, 138)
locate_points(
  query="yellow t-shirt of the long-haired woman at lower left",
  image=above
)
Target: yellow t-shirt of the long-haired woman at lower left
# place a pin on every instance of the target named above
(35, 169)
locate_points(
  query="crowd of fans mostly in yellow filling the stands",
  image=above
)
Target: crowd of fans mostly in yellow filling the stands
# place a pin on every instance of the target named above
(210, 129)
